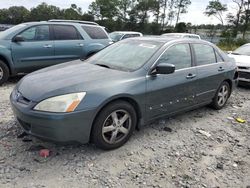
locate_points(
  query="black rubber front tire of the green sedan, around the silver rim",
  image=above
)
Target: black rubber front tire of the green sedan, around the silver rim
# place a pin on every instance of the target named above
(96, 135)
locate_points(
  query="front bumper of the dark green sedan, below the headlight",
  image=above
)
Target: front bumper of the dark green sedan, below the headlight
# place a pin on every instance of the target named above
(58, 127)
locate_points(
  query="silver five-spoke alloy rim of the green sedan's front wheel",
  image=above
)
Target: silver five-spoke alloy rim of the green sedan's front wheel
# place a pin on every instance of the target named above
(116, 126)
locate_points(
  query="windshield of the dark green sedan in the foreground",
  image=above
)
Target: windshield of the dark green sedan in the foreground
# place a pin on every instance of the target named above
(128, 55)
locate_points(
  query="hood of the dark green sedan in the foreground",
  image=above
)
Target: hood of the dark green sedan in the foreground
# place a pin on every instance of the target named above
(75, 76)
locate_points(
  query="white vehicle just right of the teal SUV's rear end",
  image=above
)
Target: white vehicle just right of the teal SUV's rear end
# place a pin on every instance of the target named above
(120, 35)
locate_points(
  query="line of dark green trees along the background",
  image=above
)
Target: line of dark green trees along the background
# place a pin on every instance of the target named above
(147, 16)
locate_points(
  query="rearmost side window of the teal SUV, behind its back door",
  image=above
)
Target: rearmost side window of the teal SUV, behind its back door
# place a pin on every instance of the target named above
(95, 32)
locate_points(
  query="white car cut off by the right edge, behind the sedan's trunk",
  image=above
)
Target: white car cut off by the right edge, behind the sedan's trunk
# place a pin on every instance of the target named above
(242, 58)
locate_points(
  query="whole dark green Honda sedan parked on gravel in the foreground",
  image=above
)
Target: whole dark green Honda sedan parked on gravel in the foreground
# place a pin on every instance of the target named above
(123, 87)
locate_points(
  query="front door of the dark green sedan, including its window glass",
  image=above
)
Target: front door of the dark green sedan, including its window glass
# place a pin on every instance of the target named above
(171, 93)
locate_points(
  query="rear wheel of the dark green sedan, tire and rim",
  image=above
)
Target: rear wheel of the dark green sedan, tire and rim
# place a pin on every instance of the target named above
(221, 96)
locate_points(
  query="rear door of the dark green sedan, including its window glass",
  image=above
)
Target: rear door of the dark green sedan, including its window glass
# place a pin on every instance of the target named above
(210, 68)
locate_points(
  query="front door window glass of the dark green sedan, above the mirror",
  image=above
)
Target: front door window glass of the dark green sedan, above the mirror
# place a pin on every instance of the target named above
(178, 55)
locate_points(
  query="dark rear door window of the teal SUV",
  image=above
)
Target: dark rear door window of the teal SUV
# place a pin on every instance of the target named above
(66, 32)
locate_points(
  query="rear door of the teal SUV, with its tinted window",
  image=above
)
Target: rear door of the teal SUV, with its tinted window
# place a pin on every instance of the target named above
(69, 43)
